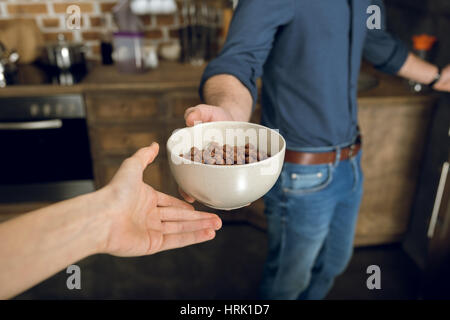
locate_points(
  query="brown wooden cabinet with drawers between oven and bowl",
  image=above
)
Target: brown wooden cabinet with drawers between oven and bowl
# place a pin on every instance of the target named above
(121, 123)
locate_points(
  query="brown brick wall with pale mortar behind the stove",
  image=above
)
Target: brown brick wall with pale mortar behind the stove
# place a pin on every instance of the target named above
(96, 17)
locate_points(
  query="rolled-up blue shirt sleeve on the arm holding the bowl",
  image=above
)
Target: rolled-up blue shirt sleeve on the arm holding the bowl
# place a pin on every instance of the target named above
(249, 41)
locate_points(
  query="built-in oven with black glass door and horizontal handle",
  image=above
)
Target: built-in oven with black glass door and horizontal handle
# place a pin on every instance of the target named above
(44, 149)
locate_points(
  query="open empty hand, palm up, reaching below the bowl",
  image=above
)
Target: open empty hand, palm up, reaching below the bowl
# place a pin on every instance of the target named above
(144, 221)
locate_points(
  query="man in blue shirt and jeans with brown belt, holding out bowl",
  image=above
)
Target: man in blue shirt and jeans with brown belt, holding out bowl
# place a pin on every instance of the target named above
(308, 54)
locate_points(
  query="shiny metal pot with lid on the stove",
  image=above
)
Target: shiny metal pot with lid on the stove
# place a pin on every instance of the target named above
(65, 55)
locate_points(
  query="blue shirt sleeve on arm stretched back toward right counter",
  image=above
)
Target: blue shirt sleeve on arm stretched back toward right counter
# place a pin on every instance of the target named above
(385, 51)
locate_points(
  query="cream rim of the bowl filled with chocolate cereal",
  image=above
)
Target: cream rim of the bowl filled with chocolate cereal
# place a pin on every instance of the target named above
(187, 161)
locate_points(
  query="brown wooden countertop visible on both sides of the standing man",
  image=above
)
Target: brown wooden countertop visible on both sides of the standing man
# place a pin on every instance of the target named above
(172, 75)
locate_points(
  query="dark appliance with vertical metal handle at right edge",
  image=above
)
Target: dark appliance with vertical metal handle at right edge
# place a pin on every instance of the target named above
(428, 238)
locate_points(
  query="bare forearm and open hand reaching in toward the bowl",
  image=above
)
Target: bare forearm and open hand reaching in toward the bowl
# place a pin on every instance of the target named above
(127, 218)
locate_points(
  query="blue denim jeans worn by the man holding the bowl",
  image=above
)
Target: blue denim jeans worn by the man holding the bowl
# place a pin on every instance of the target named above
(311, 214)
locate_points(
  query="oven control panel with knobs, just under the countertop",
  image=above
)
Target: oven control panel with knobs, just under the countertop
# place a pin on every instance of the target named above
(67, 106)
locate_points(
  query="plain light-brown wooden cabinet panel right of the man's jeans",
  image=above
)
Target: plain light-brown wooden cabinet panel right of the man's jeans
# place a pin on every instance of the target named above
(394, 135)
